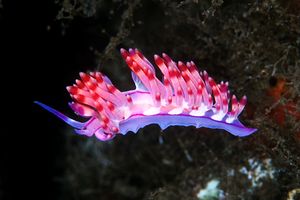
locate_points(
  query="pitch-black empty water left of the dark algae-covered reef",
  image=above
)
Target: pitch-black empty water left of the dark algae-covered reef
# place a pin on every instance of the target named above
(36, 62)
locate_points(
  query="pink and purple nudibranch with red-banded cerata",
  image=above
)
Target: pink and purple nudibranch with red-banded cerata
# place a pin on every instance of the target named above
(185, 97)
